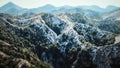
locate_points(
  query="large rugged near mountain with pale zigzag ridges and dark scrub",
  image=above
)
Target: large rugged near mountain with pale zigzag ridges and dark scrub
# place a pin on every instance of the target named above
(60, 41)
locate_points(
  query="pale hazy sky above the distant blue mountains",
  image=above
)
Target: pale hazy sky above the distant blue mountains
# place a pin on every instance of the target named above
(37, 3)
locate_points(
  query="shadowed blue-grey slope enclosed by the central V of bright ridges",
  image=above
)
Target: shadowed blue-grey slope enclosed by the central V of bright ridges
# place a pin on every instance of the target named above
(56, 24)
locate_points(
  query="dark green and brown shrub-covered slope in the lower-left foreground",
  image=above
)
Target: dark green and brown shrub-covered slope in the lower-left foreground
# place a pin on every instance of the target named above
(17, 46)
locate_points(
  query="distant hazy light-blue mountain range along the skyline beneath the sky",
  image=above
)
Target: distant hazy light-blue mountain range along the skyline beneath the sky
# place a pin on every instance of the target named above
(12, 8)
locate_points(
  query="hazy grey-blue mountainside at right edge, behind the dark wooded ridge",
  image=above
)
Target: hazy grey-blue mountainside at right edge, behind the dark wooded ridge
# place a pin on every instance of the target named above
(110, 21)
